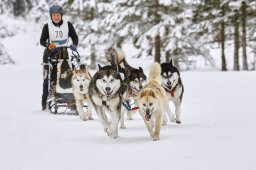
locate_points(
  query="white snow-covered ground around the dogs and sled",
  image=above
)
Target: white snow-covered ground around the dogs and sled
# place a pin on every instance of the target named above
(217, 130)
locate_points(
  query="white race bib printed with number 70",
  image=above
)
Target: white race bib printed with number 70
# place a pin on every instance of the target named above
(58, 35)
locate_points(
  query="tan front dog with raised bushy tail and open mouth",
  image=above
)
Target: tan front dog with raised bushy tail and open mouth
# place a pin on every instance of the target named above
(152, 101)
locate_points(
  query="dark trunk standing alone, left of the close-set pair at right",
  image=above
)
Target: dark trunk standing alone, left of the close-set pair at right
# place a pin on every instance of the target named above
(222, 37)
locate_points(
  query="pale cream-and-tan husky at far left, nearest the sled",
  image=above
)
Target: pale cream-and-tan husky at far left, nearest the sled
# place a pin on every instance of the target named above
(80, 84)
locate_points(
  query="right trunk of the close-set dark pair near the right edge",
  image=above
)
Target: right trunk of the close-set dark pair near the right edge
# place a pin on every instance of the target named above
(243, 11)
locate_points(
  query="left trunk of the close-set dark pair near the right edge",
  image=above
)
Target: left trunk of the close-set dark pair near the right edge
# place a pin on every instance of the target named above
(236, 42)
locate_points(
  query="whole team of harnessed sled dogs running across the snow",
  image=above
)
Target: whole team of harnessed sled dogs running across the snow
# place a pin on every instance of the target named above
(118, 88)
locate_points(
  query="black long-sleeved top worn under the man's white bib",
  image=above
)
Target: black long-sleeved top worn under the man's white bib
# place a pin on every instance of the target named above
(44, 40)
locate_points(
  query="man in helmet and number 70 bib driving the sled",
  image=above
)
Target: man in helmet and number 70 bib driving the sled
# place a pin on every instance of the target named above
(54, 38)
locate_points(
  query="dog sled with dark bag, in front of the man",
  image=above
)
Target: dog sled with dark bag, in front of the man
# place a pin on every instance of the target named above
(60, 96)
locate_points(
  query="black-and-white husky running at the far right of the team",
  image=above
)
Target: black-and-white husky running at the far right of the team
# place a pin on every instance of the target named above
(174, 88)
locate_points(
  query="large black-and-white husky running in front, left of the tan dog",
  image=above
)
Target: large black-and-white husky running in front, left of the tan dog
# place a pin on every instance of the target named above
(106, 90)
